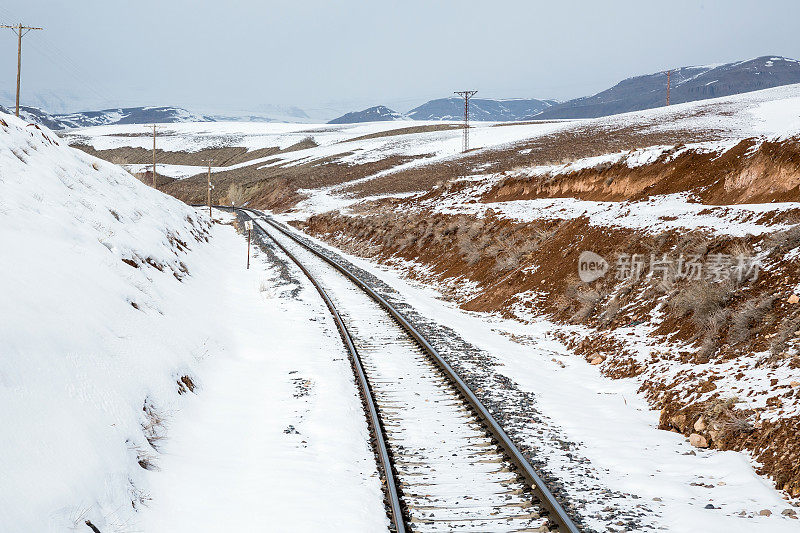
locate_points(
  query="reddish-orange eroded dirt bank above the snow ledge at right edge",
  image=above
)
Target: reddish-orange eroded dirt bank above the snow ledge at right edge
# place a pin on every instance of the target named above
(750, 172)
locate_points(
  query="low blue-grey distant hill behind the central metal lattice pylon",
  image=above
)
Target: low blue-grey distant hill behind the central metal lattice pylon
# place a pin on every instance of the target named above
(480, 109)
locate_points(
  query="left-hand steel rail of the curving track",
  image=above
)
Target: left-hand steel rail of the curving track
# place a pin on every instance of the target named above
(393, 497)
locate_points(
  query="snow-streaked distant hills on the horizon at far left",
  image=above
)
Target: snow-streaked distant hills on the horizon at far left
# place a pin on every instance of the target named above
(126, 115)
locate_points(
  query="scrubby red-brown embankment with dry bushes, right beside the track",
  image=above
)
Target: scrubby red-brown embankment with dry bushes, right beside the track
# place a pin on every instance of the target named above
(532, 268)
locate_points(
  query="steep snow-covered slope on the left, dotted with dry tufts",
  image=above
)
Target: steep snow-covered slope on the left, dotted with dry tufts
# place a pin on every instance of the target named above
(89, 257)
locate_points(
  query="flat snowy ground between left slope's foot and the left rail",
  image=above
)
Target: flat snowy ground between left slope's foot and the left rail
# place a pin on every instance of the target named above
(276, 438)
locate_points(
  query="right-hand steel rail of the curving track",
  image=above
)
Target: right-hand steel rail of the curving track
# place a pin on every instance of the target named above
(537, 484)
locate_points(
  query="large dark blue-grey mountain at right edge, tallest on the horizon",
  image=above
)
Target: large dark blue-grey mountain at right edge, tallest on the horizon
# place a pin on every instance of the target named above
(687, 85)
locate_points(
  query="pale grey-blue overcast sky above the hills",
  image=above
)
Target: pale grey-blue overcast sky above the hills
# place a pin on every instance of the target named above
(329, 56)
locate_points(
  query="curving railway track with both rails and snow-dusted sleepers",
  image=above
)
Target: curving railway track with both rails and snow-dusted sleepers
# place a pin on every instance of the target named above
(446, 463)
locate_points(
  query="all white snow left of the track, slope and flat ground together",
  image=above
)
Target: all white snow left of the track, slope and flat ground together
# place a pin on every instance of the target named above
(112, 293)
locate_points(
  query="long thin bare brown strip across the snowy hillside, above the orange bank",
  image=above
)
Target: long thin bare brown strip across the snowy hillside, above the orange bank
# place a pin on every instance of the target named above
(560, 147)
